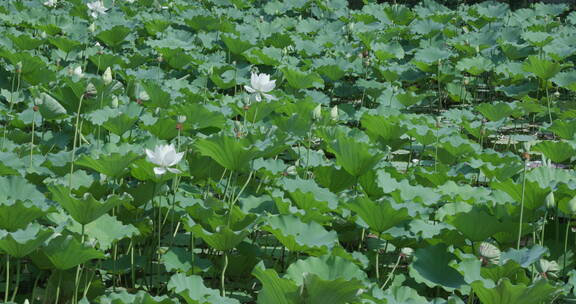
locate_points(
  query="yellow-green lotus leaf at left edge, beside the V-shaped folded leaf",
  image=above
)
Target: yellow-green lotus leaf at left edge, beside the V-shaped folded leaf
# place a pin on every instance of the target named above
(18, 214)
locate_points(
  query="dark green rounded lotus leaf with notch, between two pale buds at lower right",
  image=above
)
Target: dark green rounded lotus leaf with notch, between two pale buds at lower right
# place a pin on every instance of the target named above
(438, 273)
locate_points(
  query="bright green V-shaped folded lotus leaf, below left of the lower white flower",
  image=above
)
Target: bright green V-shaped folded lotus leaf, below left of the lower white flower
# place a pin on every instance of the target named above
(86, 209)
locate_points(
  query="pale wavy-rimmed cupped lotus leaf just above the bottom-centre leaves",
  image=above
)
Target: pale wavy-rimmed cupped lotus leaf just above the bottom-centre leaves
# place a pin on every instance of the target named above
(296, 235)
